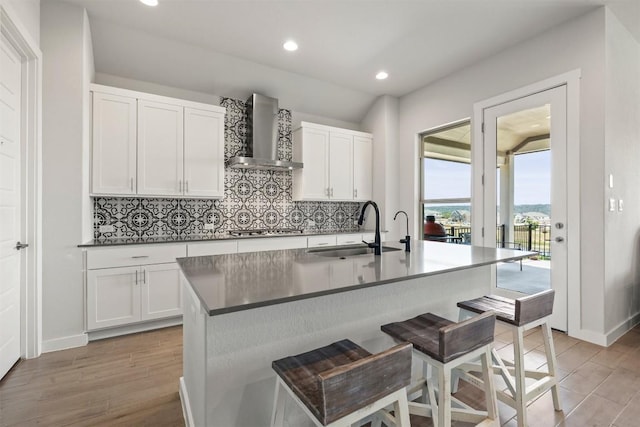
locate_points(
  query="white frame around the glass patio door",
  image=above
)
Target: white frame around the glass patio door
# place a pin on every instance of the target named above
(572, 82)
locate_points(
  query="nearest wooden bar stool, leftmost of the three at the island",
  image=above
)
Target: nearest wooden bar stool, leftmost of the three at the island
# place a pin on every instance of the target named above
(342, 383)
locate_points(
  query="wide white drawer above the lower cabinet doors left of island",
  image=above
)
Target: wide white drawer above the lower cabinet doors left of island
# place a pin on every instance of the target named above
(123, 256)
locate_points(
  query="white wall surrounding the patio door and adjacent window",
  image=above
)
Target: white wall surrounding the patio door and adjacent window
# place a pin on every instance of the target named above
(577, 44)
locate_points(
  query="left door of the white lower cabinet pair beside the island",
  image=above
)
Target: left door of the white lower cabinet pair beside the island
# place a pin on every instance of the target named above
(113, 297)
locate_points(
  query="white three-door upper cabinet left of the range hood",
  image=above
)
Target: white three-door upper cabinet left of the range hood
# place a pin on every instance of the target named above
(151, 145)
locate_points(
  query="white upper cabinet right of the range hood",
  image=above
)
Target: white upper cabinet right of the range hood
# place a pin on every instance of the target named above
(337, 163)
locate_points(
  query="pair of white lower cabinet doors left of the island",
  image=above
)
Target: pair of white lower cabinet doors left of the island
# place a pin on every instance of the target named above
(123, 295)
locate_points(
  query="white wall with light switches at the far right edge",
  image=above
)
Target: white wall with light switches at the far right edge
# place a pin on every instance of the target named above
(622, 155)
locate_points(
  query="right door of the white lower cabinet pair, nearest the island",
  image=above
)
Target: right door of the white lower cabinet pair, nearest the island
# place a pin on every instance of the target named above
(161, 292)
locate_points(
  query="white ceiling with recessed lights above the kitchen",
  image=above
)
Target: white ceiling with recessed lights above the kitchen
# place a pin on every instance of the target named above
(232, 48)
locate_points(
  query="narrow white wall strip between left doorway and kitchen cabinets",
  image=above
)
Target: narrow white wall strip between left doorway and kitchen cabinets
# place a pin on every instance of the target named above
(63, 46)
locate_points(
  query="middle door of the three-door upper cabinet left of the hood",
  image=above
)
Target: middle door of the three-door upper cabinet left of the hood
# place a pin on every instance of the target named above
(160, 149)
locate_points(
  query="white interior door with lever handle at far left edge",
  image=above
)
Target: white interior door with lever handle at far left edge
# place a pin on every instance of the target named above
(10, 213)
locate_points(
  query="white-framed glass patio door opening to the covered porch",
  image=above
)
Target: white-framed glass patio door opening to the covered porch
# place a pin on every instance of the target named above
(525, 146)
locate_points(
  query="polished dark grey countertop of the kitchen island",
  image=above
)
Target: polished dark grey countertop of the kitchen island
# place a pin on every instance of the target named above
(236, 282)
